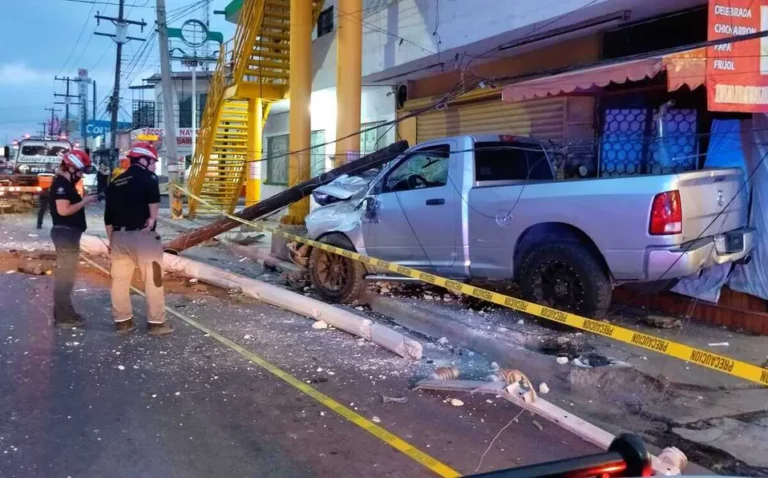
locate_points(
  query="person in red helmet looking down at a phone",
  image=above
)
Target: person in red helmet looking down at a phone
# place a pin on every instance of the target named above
(68, 215)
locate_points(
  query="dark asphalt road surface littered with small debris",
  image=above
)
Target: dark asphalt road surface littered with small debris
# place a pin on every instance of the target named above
(91, 403)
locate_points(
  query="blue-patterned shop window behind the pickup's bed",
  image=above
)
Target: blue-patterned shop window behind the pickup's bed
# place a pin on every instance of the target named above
(648, 141)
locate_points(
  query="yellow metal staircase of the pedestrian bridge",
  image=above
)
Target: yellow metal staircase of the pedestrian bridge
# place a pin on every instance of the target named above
(252, 72)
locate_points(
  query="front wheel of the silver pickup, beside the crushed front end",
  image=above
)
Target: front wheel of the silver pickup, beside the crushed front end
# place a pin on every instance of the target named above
(337, 278)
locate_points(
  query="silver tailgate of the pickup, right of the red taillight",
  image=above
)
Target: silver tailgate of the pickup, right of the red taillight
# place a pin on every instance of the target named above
(712, 202)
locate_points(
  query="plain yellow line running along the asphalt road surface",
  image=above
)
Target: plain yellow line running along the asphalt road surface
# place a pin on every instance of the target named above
(390, 439)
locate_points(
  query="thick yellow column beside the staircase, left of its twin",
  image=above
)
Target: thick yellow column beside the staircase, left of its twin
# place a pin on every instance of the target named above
(300, 84)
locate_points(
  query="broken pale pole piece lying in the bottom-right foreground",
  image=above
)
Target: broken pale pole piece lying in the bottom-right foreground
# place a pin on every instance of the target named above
(671, 461)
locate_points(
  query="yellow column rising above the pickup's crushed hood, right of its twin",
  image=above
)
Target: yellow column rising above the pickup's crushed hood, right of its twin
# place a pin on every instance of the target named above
(349, 72)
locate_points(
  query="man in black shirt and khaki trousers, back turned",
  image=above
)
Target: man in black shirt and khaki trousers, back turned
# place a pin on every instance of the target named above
(133, 205)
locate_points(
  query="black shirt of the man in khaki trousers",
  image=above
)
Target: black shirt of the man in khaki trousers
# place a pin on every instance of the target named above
(128, 198)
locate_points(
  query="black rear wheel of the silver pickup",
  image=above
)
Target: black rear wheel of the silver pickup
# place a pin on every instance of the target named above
(566, 276)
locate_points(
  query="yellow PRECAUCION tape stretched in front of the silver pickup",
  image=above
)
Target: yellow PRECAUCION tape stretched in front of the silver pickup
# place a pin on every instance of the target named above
(666, 347)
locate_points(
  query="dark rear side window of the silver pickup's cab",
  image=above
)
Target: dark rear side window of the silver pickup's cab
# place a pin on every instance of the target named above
(499, 161)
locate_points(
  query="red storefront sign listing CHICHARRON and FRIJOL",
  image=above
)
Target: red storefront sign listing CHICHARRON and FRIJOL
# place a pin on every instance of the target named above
(737, 73)
